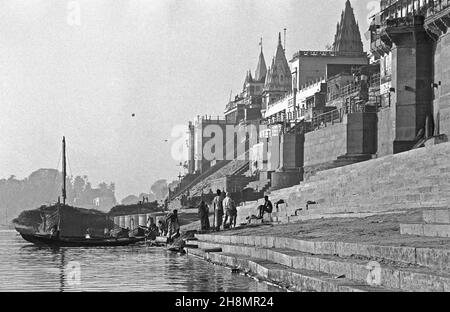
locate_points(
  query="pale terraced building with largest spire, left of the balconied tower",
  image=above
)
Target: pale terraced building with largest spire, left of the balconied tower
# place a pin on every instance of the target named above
(324, 88)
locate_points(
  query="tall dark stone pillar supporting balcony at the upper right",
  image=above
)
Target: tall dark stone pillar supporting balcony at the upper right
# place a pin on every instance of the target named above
(412, 66)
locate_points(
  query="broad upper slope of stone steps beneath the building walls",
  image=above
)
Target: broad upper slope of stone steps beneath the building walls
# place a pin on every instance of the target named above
(415, 179)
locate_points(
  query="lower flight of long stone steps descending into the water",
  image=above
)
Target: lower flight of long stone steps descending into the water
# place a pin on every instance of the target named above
(329, 266)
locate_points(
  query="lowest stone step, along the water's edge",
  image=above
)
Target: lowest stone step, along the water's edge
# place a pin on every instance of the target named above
(295, 279)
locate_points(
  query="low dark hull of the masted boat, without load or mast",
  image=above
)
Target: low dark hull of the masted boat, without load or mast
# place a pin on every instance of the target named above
(48, 241)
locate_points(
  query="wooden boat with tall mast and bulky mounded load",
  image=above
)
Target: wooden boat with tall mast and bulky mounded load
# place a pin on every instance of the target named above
(69, 226)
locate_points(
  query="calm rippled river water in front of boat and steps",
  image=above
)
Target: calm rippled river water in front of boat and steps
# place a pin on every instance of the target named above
(25, 267)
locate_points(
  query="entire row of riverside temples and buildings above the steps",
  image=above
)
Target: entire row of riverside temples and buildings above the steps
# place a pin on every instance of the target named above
(326, 109)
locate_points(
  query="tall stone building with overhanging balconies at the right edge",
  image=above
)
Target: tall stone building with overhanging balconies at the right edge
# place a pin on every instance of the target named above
(409, 41)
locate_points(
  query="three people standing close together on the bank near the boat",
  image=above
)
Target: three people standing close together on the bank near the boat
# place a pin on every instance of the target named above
(224, 211)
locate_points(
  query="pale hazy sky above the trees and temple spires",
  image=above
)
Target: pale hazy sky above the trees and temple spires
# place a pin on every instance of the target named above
(164, 60)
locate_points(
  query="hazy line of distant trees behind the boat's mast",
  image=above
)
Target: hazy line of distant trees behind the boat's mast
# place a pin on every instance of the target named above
(43, 187)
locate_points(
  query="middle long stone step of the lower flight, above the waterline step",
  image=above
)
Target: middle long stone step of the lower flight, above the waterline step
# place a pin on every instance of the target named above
(389, 276)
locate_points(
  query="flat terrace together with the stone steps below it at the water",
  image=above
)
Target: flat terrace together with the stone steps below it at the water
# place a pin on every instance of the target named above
(342, 254)
